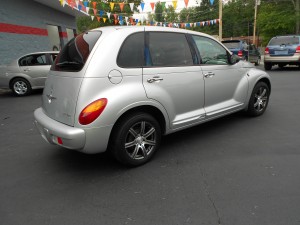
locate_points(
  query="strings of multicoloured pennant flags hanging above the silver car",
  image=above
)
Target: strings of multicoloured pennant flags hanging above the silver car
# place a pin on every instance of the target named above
(120, 19)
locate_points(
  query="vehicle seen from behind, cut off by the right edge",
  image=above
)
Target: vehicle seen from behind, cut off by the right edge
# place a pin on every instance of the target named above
(282, 51)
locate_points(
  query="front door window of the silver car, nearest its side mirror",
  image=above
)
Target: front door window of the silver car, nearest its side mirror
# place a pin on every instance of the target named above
(211, 52)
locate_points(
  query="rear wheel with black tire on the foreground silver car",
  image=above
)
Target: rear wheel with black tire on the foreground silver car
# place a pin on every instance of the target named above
(135, 139)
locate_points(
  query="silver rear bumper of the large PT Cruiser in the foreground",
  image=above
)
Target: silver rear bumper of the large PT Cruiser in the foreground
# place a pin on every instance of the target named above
(83, 140)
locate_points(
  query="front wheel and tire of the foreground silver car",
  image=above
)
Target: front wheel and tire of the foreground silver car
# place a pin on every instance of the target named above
(259, 99)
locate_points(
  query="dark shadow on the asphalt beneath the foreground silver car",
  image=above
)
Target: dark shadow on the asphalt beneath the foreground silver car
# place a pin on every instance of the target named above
(104, 163)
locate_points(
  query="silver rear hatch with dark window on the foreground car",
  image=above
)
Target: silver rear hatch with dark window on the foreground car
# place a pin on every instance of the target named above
(64, 80)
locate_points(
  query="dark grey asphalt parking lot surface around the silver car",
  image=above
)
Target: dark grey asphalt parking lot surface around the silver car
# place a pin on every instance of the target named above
(232, 171)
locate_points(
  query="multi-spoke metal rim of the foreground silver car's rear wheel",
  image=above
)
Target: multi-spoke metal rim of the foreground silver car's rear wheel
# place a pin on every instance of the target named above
(140, 140)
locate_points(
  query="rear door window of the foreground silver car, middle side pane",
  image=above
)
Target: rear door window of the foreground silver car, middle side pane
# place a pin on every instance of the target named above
(168, 49)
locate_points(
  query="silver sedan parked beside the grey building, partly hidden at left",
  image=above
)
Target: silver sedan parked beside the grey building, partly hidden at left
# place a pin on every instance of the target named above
(27, 72)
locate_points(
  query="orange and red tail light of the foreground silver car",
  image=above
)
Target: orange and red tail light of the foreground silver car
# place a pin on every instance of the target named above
(92, 111)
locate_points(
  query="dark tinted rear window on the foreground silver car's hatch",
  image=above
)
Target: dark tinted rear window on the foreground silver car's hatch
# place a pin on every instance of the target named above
(76, 52)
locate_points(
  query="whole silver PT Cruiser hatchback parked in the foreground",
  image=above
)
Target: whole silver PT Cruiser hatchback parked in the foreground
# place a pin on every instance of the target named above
(122, 88)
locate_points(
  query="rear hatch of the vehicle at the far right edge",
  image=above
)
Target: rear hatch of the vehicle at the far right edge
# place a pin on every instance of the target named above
(283, 45)
